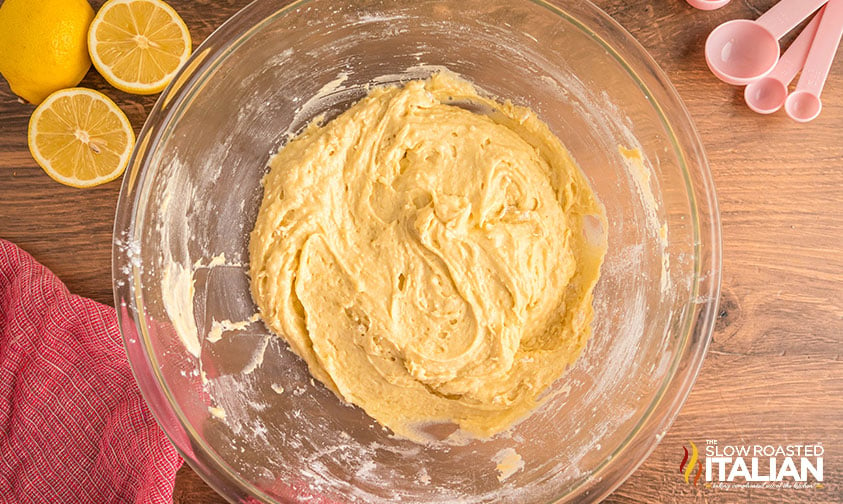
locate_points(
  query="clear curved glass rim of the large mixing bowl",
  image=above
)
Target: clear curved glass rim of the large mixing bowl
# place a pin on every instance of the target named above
(605, 31)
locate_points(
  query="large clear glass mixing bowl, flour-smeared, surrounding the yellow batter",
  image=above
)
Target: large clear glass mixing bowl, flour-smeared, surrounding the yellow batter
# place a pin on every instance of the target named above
(243, 410)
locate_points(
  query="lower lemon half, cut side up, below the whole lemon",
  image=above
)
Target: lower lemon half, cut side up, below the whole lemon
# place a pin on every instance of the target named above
(80, 137)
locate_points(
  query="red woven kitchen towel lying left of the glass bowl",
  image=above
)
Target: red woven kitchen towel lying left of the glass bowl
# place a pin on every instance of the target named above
(73, 424)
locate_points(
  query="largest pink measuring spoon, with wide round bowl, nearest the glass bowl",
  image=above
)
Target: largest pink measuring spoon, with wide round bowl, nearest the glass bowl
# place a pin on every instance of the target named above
(740, 51)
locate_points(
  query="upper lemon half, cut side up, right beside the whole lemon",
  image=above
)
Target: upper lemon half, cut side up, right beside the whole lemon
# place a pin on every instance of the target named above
(138, 45)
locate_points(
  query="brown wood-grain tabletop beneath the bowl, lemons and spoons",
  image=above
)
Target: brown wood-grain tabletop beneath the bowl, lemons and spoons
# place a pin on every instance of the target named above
(773, 374)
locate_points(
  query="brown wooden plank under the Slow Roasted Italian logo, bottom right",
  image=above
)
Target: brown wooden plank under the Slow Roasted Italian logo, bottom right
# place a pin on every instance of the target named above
(750, 399)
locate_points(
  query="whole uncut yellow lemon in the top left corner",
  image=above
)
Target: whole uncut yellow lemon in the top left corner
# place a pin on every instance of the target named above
(43, 45)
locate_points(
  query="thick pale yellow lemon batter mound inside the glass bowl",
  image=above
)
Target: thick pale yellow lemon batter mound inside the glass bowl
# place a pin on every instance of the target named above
(430, 263)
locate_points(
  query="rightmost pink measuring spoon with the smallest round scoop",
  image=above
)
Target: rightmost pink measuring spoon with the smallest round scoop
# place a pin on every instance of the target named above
(804, 103)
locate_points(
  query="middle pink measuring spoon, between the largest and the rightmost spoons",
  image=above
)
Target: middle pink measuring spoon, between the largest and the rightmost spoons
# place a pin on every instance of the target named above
(767, 94)
